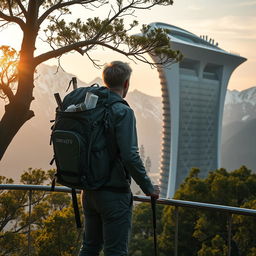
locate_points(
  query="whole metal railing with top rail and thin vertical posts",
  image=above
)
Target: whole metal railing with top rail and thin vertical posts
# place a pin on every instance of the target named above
(172, 202)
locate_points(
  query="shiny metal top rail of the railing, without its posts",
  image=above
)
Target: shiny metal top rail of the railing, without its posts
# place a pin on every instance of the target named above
(172, 202)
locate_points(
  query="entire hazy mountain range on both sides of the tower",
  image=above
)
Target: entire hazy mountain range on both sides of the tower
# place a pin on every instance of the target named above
(30, 147)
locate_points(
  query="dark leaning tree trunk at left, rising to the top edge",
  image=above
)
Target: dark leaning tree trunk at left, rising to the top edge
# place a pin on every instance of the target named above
(18, 112)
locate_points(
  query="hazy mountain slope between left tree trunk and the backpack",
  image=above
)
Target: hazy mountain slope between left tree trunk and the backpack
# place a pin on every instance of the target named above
(30, 147)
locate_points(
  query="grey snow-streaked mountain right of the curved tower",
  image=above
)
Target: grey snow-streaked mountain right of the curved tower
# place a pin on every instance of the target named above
(238, 133)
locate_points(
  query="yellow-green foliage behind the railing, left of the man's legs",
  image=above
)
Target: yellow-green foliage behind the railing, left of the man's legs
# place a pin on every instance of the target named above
(53, 229)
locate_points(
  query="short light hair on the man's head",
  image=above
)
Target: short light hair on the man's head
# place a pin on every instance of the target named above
(116, 73)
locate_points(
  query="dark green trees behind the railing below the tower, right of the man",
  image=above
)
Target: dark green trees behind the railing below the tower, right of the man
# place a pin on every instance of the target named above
(206, 231)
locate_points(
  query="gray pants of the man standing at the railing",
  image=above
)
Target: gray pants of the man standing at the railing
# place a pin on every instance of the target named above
(107, 223)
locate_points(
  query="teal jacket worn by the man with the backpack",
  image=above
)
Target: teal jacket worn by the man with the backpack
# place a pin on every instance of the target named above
(129, 163)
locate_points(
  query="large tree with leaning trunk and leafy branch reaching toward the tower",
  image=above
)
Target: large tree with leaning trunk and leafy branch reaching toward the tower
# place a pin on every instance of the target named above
(35, 17)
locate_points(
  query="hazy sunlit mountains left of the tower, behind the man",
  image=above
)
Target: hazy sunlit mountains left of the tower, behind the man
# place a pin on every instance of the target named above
(30, 147)
